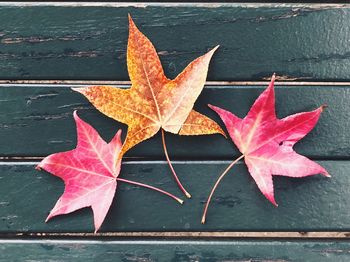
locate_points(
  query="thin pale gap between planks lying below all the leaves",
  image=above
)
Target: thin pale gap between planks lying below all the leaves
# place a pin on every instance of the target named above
(272, 235)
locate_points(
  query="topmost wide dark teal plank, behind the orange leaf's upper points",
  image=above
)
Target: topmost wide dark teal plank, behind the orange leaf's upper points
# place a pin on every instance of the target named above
(297, 41)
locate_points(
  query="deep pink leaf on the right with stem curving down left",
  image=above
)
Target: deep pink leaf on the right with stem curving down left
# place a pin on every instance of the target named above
(266, 143)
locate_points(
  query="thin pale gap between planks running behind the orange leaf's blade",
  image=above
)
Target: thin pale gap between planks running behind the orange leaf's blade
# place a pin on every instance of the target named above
(208, 83)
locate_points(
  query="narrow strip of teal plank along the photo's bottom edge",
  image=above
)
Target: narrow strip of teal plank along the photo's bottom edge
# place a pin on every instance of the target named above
(179, 251)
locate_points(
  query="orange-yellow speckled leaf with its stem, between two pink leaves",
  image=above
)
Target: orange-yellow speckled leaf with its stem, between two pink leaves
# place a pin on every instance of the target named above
(154, 102)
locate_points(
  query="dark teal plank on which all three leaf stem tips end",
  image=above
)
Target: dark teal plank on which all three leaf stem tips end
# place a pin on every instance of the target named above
(309, 204)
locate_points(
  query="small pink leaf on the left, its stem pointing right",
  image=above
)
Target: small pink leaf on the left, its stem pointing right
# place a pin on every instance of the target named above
(89, 172)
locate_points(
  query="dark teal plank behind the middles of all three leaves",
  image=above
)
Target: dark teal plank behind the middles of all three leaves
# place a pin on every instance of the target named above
(37, 121)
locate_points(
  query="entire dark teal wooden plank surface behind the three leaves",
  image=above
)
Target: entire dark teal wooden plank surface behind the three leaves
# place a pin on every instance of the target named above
(86, 41)
